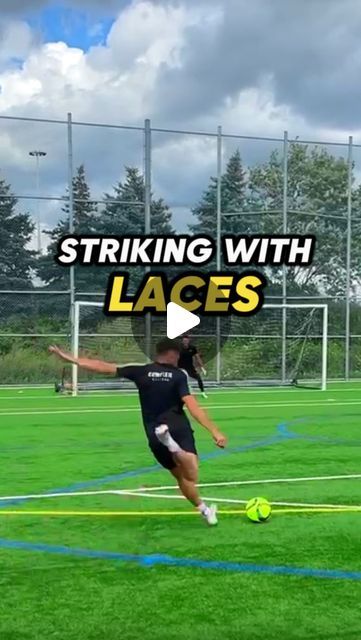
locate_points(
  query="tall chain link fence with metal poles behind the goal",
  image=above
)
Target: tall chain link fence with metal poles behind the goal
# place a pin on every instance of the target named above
(64, 176)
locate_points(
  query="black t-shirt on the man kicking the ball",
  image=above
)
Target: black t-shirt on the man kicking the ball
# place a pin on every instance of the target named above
(161, 388)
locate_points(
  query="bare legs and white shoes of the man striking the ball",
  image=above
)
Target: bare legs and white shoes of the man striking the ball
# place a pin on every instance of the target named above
(186, 474)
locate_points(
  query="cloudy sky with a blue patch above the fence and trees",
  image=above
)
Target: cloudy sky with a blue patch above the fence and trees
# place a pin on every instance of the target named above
(256, 67)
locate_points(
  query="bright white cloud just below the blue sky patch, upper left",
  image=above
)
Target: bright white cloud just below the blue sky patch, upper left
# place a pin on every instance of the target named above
(111, 82)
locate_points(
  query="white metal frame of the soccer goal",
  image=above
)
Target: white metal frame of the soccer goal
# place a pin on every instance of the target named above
(284, 307)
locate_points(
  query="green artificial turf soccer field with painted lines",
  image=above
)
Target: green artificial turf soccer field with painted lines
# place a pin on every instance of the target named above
(134, 567)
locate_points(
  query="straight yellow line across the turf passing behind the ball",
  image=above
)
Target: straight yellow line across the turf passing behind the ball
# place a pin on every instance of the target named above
(165, 513)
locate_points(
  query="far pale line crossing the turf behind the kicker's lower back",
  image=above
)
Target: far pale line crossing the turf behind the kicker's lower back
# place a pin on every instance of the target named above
(242, 405)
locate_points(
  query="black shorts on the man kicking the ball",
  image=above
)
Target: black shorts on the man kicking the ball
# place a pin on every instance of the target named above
(182, 432)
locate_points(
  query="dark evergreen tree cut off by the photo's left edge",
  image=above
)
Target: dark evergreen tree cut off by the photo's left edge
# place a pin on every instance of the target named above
(17, 261)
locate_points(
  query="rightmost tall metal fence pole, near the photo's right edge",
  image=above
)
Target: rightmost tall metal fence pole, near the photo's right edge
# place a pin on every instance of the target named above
(348, 258)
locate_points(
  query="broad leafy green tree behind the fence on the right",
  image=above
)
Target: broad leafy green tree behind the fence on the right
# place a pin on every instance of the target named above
(316, 204)
